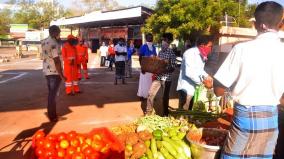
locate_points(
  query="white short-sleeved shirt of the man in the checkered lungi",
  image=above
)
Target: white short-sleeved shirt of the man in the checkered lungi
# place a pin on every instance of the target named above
(254, 71)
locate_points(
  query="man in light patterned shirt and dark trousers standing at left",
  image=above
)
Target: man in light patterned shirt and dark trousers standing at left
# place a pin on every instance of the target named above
(52, 69)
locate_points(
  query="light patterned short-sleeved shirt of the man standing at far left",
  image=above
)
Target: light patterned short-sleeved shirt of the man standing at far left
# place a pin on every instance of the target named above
(50, 49)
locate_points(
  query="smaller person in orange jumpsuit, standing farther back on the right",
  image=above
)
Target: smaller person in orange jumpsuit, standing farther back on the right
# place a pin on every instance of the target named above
(82, 59)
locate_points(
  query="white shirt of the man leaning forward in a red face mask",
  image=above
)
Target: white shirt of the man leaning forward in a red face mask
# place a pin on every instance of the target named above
(192, 68)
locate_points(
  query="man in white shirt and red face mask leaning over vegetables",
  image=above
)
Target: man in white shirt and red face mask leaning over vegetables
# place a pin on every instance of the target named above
(192, 70)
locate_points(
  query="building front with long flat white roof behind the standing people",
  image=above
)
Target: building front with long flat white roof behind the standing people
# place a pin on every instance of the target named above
(109, 26)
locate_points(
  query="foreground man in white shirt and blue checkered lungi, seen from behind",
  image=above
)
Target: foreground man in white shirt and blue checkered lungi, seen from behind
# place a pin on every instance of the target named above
(253, 71)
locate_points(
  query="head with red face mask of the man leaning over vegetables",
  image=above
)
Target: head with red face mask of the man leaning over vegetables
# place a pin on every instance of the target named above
(204, 44)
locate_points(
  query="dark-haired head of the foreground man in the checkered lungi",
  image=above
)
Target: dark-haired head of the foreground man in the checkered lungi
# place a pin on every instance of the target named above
(268, 15)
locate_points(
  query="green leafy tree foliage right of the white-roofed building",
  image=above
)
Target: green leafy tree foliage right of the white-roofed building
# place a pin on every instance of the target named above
(185, 18)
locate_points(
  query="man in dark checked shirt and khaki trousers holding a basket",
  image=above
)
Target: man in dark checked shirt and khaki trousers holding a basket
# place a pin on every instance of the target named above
(163, 80)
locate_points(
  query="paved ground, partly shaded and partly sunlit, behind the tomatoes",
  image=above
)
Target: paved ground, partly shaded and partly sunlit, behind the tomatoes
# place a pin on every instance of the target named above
(23, 96)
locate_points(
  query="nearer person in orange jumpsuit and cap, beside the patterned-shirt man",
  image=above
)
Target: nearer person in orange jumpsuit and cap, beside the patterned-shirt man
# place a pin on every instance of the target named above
(69, 53)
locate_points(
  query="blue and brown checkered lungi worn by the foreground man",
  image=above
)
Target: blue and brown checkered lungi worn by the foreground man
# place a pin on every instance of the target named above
(253, 134)
